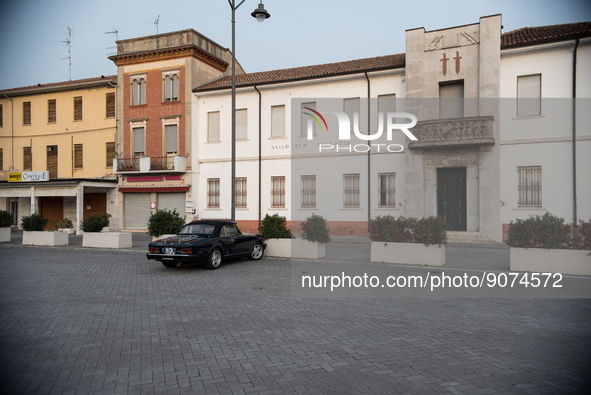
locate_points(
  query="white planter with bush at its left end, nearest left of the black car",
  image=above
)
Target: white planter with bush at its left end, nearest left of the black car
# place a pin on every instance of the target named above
(95, 236)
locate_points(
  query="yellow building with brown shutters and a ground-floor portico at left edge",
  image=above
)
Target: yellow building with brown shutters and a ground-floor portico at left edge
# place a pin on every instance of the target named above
(57, 143)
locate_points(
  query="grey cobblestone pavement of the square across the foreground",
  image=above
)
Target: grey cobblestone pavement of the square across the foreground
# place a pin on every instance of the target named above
(107, 321)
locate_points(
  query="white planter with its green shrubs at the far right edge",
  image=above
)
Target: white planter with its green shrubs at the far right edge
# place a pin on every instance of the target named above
(545, 244)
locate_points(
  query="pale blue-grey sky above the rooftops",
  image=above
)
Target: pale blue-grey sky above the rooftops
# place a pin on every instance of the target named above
(298, 33)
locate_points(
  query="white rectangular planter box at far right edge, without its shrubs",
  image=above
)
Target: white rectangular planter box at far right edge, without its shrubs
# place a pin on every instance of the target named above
(541, 260)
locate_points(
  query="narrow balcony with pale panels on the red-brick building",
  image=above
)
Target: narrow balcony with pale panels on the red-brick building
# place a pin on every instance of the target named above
(146, 165)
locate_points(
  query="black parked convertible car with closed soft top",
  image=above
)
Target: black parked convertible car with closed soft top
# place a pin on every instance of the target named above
(207, 242)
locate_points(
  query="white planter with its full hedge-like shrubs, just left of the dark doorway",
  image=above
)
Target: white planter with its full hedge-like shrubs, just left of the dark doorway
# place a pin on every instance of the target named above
(408, 240)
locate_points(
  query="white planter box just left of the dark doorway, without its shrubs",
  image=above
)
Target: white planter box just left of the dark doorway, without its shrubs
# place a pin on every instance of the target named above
(408, 253)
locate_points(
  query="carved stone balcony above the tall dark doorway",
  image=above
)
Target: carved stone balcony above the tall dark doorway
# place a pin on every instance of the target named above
(454, 132)
